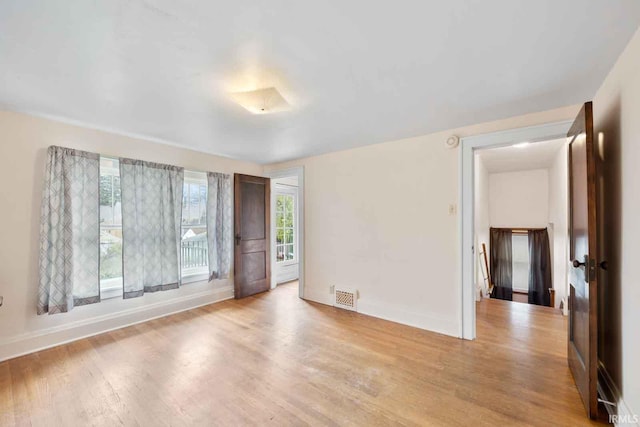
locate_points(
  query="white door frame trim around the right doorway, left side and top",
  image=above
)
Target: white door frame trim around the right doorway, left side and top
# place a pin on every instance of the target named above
(468, 145)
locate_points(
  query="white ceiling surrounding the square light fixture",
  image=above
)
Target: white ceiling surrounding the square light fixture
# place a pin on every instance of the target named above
(356, 72)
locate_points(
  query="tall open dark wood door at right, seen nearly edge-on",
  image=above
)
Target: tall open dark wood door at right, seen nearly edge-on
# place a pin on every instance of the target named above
(583, 289)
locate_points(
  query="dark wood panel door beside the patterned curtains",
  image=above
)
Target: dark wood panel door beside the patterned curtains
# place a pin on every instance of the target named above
(252, 228)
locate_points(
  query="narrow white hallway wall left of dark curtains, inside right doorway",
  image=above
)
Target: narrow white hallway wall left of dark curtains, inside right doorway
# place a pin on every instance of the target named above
(481, 218)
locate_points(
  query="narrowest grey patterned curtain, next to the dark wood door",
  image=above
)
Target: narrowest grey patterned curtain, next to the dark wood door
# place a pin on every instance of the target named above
(219, 225)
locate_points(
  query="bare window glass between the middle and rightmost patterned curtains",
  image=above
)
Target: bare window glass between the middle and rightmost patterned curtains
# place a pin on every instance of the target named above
(194, 256)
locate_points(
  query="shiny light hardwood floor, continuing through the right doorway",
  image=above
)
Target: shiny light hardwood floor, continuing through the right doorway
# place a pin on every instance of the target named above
(274, 358)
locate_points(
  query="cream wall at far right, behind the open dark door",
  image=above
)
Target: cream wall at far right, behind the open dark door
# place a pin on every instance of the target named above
(616, 112)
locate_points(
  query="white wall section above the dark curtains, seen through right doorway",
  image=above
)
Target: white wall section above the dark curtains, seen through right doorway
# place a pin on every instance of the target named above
(519, 199)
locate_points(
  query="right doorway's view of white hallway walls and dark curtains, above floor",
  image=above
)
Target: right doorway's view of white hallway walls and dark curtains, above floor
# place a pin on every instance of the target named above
(521, 223)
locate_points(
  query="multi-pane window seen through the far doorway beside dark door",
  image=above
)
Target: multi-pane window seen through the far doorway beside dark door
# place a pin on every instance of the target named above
(286, 250)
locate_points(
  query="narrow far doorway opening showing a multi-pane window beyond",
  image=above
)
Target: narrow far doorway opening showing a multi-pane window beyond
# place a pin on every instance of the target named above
(287, 242)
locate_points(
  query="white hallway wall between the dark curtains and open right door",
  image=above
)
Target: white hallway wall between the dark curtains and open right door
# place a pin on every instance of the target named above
(558, 223)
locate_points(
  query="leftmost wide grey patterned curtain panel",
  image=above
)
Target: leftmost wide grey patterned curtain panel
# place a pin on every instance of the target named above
(70, 231)
